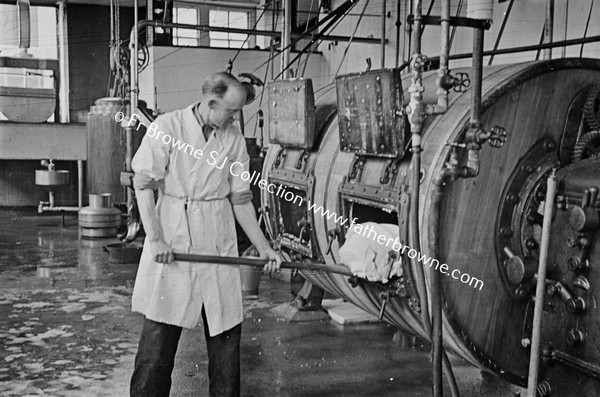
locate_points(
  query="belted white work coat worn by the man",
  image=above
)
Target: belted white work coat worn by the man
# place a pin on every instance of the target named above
(175, 293)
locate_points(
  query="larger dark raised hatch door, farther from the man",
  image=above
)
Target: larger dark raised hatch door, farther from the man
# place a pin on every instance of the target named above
(371, 113)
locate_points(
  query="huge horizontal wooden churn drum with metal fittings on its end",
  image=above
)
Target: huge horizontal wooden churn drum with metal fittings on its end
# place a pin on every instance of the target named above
(483, 219)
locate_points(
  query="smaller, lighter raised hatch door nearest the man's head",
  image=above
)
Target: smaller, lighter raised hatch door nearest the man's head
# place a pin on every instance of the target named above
(292, 113)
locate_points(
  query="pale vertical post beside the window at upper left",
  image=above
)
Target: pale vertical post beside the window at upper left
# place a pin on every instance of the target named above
(63, 62)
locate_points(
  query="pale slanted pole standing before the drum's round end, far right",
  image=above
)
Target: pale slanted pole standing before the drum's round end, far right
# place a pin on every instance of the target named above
(540, 286)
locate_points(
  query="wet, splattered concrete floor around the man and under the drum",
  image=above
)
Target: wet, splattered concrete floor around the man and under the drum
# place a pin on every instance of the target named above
(67, 330)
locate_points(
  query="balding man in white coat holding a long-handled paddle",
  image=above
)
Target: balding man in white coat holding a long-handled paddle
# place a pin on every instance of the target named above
(194, 213)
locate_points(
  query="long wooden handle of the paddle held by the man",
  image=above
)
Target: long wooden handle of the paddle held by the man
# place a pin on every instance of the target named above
(245, 261)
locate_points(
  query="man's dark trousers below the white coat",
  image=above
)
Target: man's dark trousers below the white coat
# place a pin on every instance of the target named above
(156, 356)
